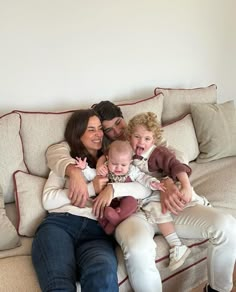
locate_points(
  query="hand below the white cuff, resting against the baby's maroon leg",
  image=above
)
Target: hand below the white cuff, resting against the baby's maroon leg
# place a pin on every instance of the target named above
(102, 200)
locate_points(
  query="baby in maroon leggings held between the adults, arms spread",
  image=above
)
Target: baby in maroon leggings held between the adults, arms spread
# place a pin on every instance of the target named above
(119, 168)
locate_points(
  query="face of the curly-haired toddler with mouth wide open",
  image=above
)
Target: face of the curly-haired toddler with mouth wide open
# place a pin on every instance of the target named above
(141, 140)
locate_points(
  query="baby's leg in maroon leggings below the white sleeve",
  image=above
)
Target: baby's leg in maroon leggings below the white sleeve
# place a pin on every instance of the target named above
(128, 205)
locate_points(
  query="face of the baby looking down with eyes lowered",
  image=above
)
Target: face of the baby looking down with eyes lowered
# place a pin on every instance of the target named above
(118, 163)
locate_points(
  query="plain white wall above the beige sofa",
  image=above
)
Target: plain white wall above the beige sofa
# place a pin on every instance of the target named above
(61, 54)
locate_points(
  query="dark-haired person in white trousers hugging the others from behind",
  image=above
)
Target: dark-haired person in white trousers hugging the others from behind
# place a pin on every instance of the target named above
(135, 234)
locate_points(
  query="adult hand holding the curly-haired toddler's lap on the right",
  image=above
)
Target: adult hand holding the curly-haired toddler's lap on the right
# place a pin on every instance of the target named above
(172, 199)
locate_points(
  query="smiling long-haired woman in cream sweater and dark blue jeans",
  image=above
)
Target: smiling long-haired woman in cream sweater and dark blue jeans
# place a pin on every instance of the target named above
(70, 245)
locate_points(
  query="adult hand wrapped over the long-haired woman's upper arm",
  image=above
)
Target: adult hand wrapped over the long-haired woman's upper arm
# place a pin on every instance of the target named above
(78, 191)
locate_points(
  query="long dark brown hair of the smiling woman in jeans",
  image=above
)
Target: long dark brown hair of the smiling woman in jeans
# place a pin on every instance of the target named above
(75, 128)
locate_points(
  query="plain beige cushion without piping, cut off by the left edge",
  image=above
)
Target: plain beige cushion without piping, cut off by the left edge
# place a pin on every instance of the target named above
(8, 236)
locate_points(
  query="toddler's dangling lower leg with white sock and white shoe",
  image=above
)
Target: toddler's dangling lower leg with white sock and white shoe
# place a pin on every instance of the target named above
(178, 251)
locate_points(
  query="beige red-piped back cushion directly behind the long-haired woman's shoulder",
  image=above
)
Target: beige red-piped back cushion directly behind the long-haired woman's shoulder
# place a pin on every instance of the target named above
(38, 131)
